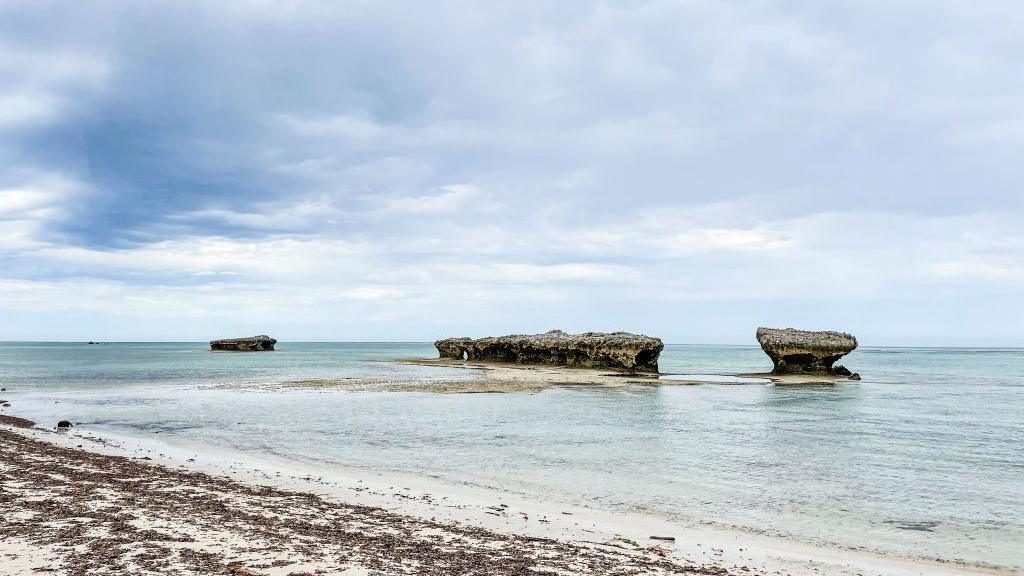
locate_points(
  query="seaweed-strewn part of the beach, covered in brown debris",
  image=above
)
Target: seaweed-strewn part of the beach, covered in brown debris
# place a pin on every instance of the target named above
(75, 512)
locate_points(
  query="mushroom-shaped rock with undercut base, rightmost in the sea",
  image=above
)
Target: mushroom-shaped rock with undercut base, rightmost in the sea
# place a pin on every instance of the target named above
(805, 352)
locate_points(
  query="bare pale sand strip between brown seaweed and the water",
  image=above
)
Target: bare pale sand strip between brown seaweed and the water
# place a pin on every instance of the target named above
(500, 516)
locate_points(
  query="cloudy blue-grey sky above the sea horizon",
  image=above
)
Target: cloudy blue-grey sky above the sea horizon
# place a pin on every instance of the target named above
(407, 171)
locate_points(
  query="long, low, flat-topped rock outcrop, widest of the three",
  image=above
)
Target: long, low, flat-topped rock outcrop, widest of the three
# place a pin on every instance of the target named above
(620, 351)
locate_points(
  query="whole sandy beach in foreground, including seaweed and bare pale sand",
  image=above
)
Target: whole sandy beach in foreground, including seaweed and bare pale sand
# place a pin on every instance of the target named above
(81, 504)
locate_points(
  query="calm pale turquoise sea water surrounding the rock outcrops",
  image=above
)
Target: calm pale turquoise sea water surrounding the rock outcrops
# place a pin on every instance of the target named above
(923, 458)
